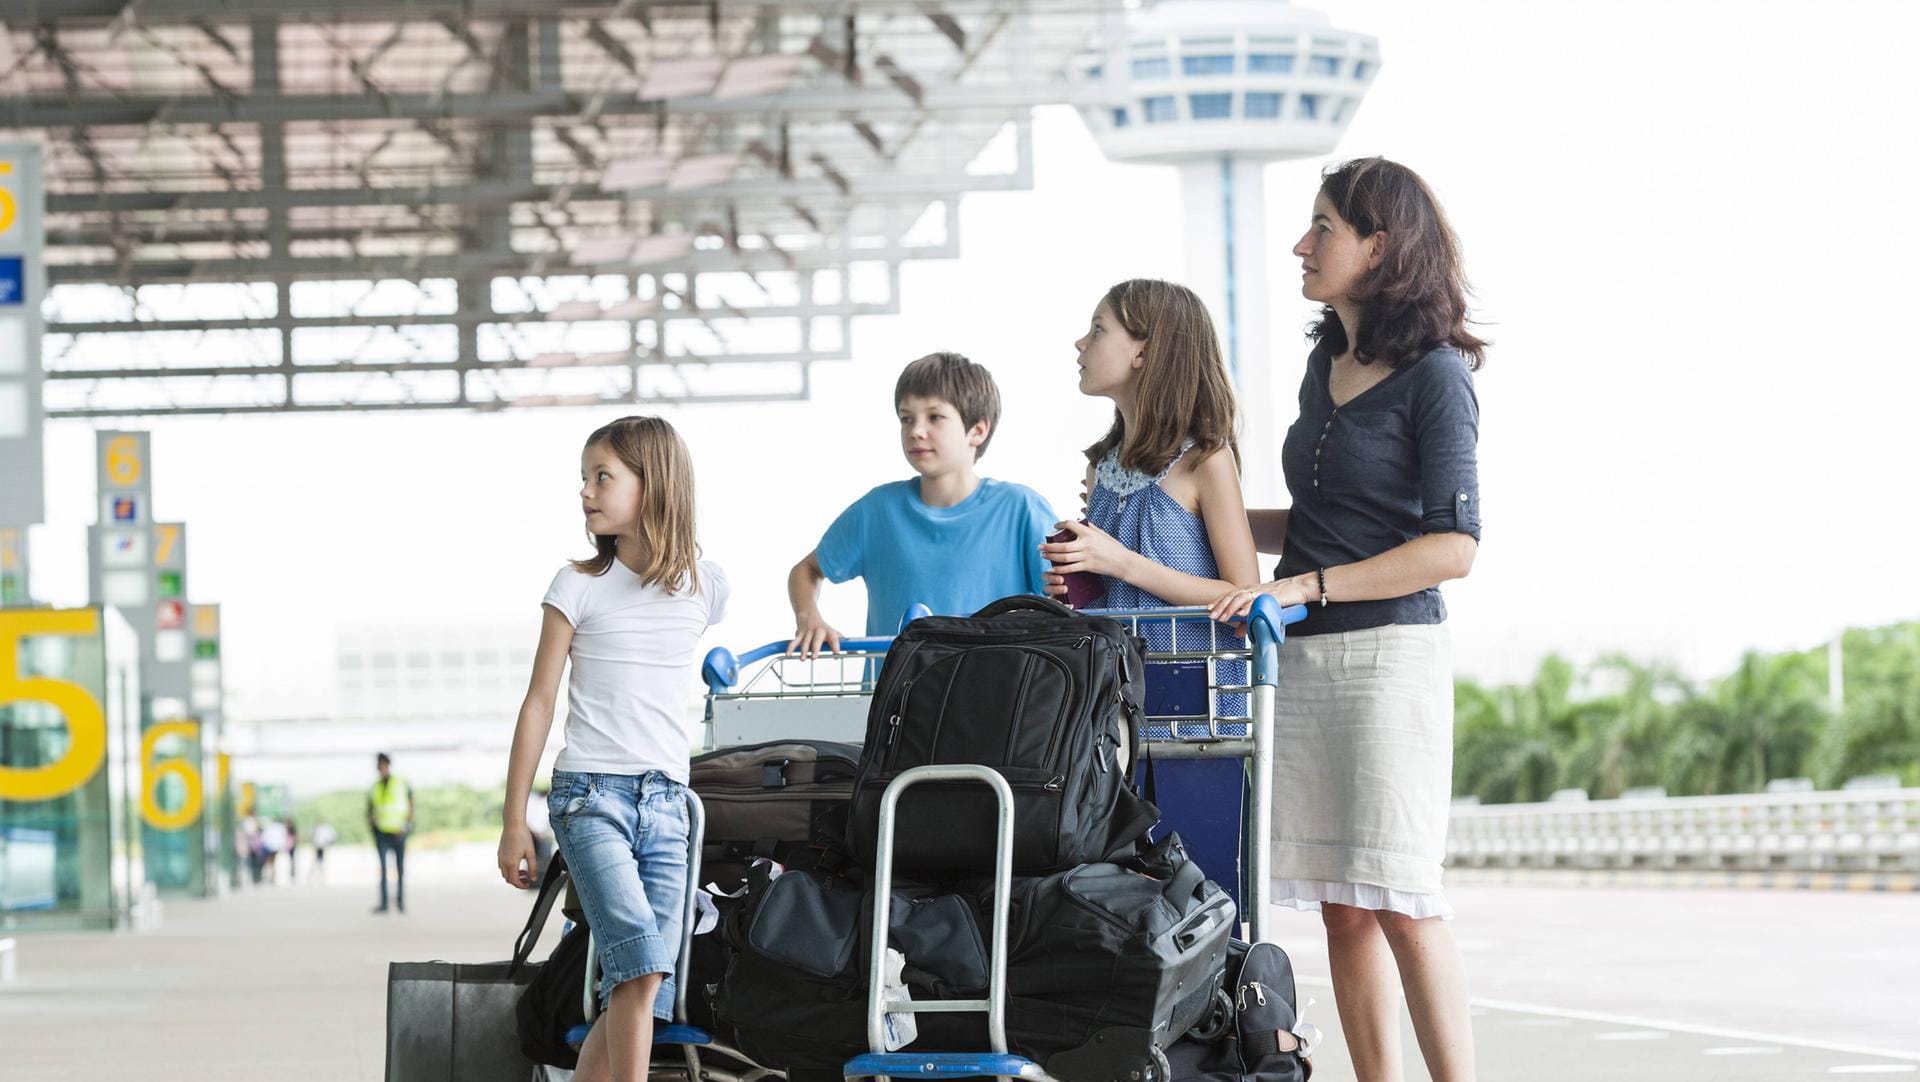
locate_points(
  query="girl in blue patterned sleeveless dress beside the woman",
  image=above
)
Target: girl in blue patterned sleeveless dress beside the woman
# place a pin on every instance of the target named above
(1164, 517)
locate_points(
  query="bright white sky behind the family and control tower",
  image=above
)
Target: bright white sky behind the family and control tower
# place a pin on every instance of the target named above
(1691, 227)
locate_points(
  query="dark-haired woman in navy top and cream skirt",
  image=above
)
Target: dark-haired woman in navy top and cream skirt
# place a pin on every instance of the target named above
(1383, 475)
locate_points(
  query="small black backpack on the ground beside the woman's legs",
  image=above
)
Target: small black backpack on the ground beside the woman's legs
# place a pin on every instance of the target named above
(1255, 1033)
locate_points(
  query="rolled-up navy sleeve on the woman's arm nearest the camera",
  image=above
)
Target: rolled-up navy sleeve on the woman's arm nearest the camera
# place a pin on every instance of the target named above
(1447, 427)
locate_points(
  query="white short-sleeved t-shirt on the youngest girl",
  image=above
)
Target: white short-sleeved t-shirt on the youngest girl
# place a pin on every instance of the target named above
(633, 667)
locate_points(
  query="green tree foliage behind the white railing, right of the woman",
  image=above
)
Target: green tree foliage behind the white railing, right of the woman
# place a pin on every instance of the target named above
(1625, 724)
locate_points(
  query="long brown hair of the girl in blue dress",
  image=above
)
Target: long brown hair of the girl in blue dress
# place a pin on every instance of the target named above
(1184, 390)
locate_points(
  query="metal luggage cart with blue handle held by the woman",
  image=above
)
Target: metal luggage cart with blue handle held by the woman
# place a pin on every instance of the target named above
(1191, 734)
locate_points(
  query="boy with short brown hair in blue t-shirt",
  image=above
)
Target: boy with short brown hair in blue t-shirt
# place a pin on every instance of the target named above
(948, 538)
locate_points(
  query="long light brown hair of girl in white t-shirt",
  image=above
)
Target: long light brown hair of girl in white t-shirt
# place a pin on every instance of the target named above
(665, 530)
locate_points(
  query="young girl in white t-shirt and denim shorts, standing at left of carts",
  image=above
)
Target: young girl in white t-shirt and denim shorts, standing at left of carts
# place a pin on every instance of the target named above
(629, 621)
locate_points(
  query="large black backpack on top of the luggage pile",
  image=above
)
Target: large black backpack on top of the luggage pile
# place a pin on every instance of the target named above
(1047, 697)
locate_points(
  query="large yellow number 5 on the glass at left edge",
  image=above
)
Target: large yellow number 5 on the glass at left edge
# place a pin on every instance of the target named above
(87, 724)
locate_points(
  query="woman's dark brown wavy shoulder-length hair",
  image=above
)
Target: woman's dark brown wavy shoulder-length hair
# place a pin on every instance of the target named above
(1418, 296)
